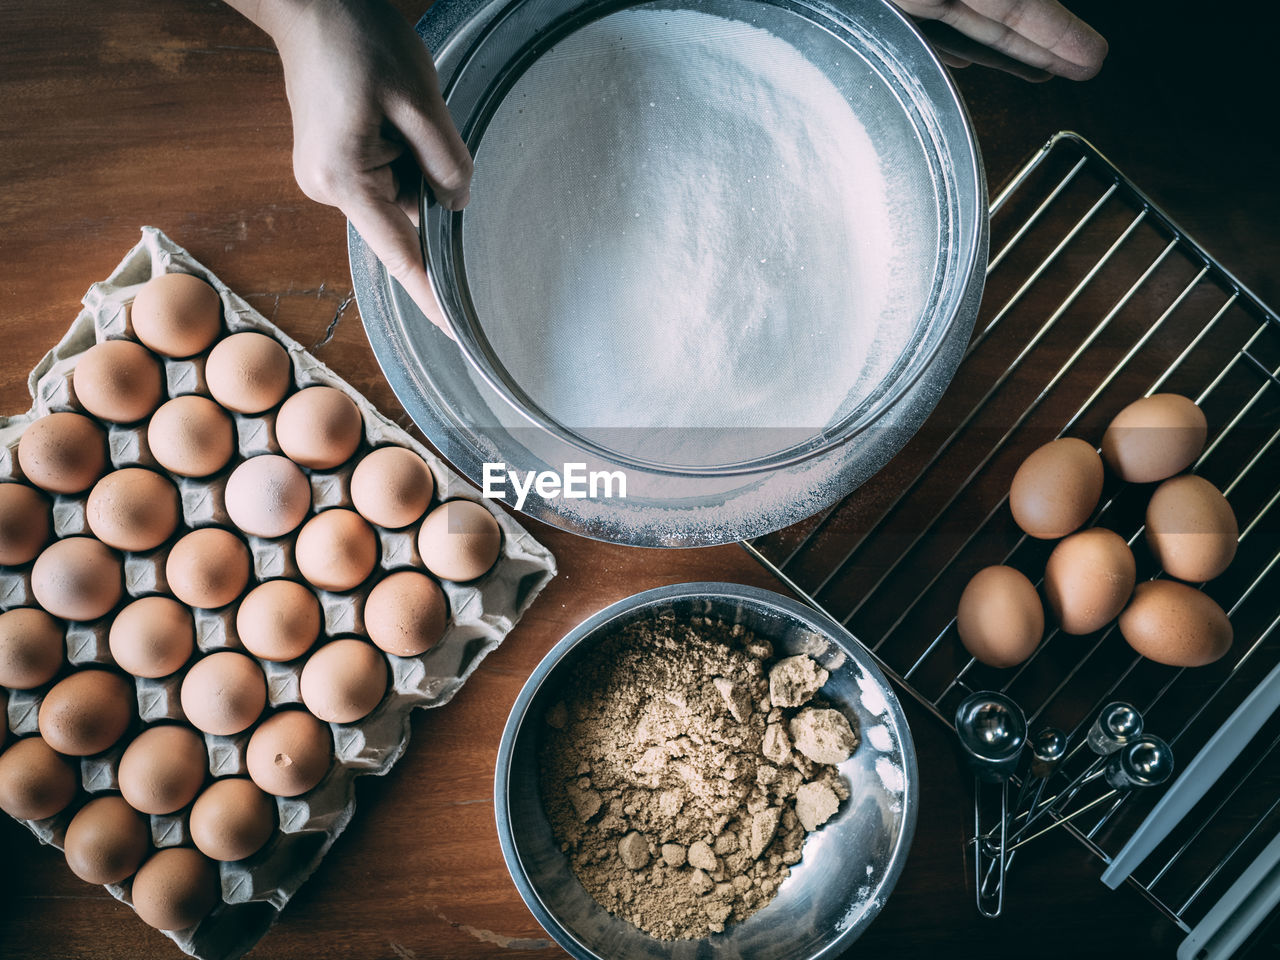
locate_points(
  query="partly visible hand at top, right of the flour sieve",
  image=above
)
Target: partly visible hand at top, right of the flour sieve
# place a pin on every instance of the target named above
(1034, 39)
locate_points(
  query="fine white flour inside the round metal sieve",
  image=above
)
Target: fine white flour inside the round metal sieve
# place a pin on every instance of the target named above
(679, 223)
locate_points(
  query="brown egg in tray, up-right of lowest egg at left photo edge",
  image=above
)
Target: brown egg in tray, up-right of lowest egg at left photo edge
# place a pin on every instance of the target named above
(86, 712)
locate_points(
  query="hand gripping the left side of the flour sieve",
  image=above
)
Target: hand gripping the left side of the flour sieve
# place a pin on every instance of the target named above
(368, 122)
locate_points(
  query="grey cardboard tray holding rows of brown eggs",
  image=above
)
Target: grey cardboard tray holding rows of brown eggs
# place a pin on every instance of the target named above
(254, 892)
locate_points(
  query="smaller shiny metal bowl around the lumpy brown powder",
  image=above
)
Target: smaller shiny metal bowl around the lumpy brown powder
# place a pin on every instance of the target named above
(851, 865)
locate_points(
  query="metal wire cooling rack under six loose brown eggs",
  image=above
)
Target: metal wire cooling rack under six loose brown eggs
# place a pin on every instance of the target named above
(1094, 299)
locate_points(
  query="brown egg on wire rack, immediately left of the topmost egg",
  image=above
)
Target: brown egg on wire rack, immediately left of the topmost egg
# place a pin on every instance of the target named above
(1057, 488)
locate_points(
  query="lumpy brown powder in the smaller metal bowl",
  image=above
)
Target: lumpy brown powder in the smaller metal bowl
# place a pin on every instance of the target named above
(671, 778)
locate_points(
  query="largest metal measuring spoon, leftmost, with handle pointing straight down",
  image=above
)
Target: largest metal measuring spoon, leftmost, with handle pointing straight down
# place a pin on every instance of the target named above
(993, 730)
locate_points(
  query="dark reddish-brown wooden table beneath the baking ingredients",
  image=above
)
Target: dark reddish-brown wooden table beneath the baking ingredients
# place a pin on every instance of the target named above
(173, 115)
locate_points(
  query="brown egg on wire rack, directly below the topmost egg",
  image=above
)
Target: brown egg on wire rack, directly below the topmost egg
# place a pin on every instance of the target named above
(1192, 529)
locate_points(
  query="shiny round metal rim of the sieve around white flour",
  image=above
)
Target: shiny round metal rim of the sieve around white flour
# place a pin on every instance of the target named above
(945, 305)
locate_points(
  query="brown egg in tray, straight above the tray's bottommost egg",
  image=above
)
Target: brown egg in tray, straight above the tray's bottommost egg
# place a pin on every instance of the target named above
(163, 770)
